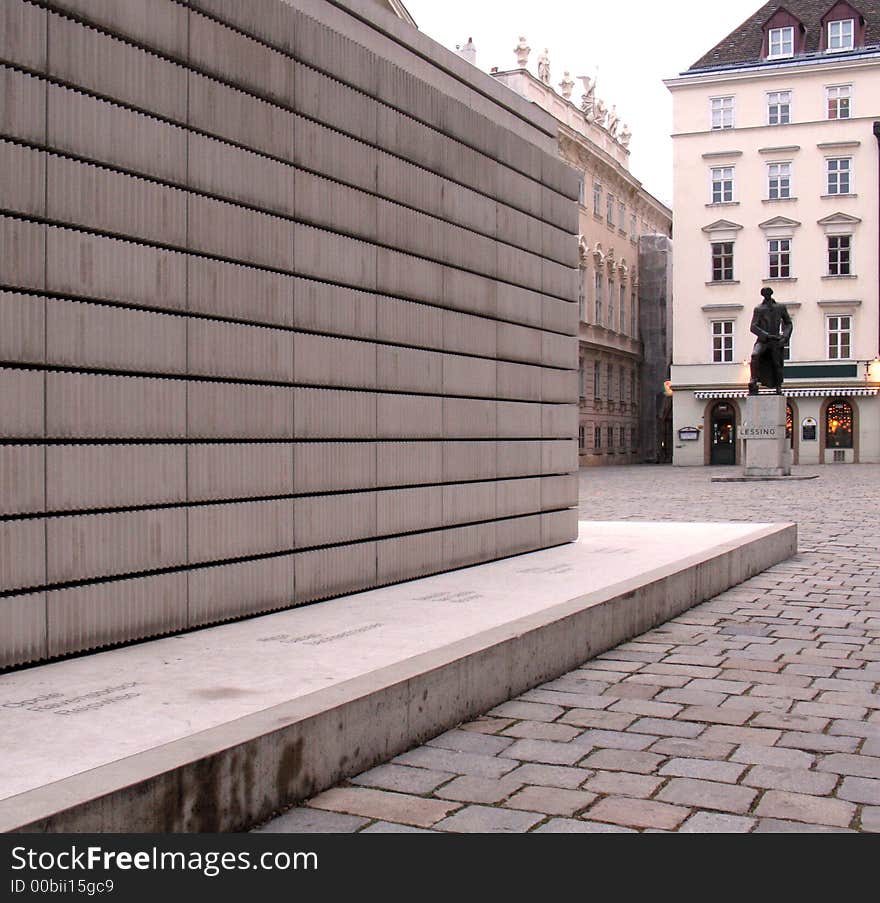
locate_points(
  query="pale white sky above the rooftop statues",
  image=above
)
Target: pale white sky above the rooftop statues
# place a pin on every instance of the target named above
(634, 43)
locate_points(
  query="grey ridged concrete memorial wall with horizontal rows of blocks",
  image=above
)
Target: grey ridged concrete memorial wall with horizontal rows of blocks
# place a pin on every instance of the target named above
(280, 319)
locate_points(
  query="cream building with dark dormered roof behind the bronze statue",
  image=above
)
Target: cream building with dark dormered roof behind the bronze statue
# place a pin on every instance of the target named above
(776, 185)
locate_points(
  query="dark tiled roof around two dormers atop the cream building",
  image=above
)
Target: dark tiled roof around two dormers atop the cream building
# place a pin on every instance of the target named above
(746, 44)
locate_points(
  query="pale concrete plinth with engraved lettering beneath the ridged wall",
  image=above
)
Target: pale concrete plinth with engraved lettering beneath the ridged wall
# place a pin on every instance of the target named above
(220, 728)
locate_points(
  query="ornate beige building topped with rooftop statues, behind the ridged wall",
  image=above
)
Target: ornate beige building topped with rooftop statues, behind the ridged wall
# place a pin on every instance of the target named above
(615, 211)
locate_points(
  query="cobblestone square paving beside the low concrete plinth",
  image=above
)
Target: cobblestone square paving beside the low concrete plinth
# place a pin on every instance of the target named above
(758, 710)
